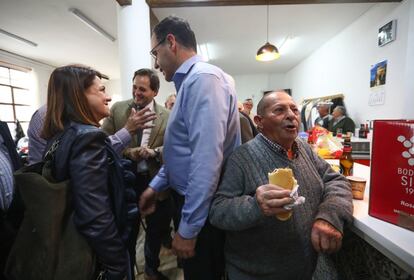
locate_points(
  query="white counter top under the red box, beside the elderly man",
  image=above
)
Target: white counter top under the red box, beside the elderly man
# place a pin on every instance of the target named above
(394, 242)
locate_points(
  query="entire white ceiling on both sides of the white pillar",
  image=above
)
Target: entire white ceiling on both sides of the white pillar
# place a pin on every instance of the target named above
(233, 34)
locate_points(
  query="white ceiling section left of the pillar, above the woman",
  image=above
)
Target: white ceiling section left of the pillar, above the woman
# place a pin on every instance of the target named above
(61, 37)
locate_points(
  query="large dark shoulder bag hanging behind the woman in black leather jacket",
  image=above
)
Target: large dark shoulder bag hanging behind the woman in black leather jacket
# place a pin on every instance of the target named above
(48, 245)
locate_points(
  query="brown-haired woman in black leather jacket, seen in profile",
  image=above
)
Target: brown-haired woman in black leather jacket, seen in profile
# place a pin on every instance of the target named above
(76, 103)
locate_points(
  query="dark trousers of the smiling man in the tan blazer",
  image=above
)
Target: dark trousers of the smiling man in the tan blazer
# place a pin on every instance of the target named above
(158, 226)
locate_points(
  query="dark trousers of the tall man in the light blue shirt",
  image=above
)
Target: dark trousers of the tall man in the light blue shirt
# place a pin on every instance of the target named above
(208, 262)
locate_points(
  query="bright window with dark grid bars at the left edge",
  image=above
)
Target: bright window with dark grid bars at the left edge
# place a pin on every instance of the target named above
(15, 97)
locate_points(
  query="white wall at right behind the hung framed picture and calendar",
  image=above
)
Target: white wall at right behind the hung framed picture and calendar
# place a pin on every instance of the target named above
(342, 65)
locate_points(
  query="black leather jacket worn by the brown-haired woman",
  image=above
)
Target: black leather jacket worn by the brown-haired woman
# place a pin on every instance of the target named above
(99, 209)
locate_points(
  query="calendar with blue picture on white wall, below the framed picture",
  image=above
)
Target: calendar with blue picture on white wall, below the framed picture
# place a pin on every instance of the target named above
(377, 83)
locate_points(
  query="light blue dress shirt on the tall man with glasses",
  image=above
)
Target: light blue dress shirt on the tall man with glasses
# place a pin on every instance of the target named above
(202, 131)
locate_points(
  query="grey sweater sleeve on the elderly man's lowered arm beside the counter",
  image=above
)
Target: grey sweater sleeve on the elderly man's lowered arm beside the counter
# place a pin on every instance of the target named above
(336, 205)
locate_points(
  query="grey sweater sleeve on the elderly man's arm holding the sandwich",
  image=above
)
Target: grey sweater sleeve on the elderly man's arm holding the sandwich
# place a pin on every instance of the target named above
(232, 209)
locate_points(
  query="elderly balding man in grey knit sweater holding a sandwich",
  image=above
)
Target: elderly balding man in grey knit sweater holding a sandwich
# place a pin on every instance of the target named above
(258, 245)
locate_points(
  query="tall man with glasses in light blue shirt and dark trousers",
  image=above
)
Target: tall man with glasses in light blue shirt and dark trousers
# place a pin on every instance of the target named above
(202, 131)
